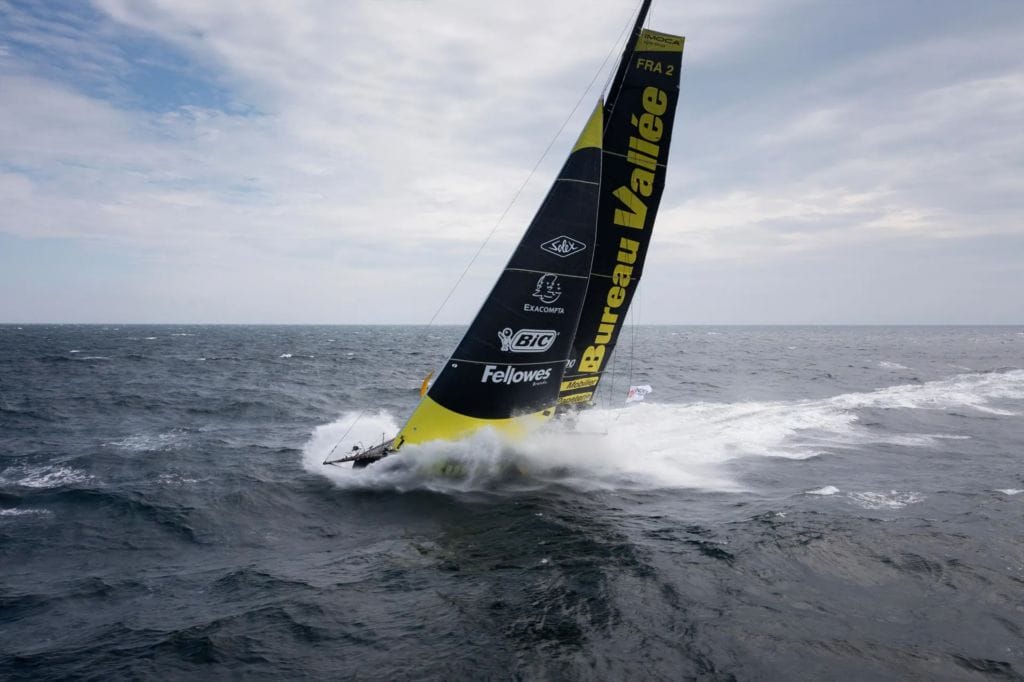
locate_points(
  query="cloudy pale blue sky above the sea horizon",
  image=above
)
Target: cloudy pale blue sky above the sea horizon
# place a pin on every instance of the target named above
(343, 162)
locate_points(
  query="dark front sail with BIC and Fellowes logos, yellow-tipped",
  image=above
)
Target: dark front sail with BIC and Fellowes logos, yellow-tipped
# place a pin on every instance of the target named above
(506, 372)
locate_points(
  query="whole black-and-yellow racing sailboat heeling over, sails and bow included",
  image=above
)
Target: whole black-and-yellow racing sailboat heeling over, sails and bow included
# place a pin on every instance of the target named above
(542, 339)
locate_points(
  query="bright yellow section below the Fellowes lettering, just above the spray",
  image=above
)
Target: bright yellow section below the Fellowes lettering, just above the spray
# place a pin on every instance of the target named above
(431, 421)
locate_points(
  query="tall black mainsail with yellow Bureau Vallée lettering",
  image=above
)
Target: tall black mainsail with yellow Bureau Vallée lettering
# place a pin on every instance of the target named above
(638, 130)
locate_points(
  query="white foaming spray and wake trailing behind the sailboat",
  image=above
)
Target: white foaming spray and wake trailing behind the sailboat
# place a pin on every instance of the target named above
(656, 446)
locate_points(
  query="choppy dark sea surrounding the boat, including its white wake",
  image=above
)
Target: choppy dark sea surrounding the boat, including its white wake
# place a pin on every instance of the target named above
(790, 503)
